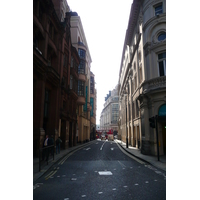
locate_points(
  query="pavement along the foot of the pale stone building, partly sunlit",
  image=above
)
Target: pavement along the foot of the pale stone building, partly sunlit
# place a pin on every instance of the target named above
(153, 160)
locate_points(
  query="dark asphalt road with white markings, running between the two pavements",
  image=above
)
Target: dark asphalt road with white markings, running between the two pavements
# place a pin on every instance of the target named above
(101, 171)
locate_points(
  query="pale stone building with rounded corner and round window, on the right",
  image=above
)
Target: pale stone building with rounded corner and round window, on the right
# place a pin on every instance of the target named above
(142, 77)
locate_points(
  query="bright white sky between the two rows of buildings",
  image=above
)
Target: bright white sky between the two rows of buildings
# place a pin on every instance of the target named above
(104, 23)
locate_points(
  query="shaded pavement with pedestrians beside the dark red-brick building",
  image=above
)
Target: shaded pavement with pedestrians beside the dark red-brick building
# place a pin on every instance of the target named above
(57, 157)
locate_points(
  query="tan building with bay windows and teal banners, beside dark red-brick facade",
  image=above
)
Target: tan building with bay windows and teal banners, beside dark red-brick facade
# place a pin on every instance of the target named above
(80, 43)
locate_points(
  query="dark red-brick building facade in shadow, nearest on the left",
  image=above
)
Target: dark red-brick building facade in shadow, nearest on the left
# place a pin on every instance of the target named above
(55, 77)
